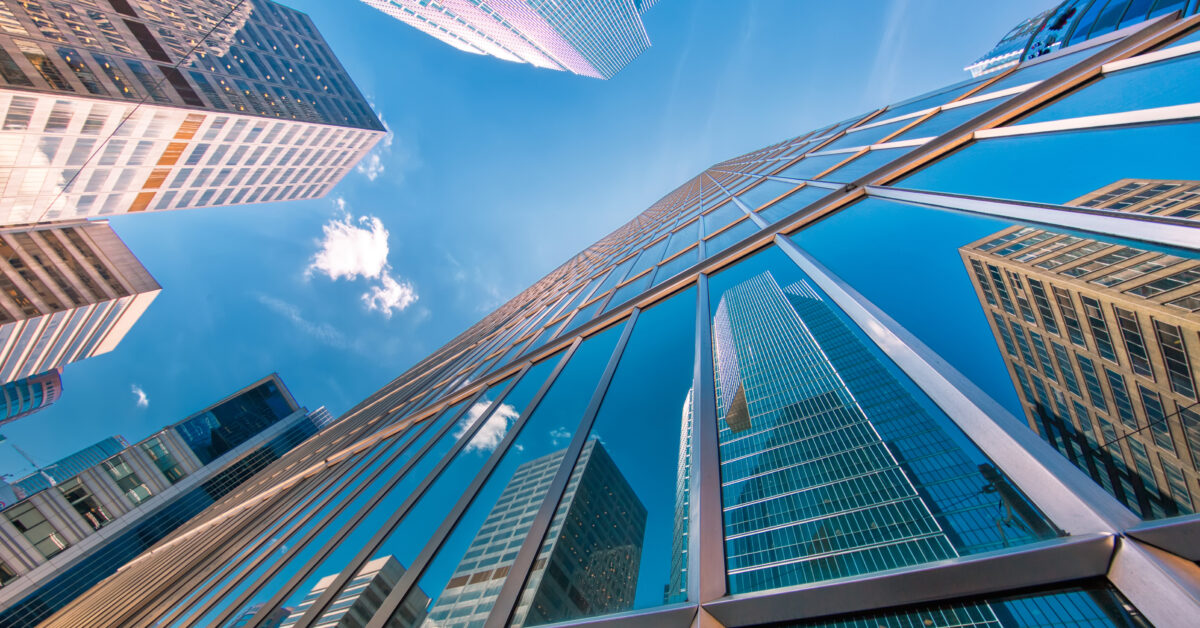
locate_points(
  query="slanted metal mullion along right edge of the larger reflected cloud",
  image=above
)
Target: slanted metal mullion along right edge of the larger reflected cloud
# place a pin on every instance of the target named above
(409, 582)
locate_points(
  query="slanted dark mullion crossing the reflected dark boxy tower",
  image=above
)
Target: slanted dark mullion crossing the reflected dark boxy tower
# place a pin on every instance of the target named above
(519, 572)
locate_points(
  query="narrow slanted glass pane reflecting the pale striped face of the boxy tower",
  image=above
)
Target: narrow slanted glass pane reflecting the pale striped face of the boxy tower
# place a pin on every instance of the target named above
(471, 567)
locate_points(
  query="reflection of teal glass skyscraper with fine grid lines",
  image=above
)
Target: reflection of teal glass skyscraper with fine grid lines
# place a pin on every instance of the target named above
(830, 468)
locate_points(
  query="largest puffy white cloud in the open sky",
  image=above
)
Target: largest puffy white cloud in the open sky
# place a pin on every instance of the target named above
(353, 248)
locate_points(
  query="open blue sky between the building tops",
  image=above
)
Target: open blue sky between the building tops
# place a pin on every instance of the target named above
(494, 175)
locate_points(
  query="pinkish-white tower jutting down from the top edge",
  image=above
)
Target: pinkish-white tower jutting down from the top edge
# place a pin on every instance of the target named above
(591, 38)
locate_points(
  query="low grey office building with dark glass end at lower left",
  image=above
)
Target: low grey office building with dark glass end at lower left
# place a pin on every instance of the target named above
(111, 503)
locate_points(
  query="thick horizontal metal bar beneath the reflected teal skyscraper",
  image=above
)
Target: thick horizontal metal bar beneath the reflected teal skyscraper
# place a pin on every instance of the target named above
(1042, 564)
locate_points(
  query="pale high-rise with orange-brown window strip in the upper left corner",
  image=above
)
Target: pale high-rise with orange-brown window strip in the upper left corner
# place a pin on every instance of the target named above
(122, 106)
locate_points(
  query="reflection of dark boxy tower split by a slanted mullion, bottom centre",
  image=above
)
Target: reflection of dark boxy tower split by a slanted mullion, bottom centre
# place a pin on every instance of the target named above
(584, 570)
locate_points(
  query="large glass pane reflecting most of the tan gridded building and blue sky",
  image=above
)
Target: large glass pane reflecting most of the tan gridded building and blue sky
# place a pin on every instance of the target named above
(980, 292)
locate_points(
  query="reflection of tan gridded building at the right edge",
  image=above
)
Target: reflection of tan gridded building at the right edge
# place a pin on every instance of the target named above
(1100, 340)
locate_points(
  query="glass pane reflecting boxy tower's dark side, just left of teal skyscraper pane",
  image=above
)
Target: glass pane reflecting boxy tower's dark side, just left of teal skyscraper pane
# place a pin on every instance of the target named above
(620, 536)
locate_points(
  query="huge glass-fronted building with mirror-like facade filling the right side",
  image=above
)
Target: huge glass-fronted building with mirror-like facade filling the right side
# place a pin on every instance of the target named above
(857, 453)
